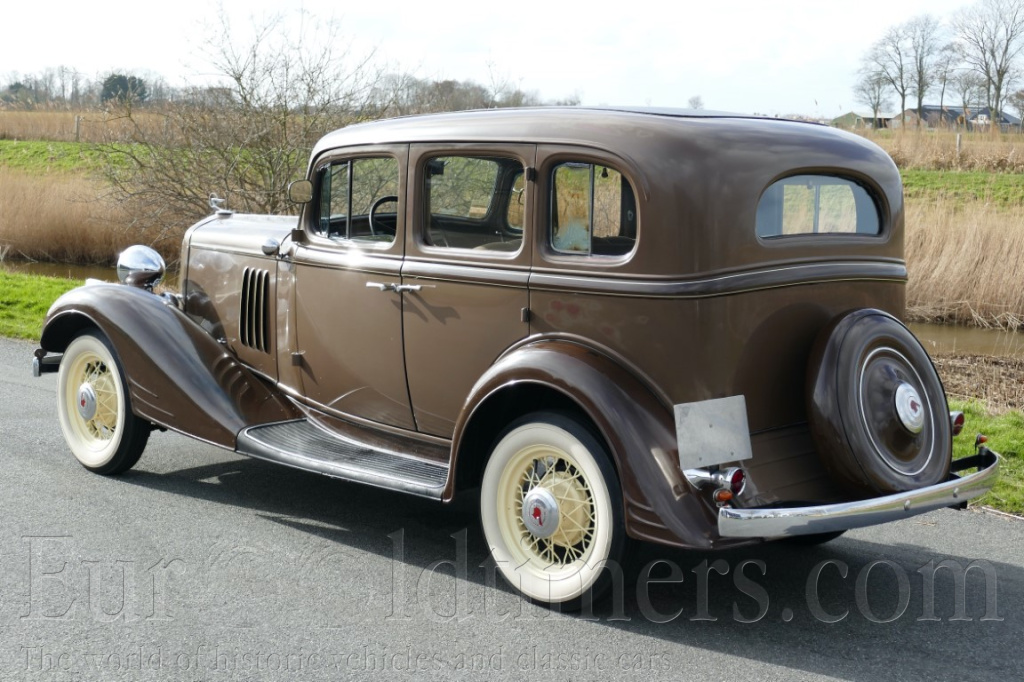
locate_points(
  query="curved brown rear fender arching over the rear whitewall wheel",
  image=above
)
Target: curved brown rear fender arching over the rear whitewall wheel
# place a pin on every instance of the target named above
(637, 427)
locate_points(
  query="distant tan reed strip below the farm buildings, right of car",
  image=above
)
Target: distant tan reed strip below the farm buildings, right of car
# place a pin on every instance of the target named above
(936, 150)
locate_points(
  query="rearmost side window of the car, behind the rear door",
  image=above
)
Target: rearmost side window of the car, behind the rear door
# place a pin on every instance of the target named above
(593, 210)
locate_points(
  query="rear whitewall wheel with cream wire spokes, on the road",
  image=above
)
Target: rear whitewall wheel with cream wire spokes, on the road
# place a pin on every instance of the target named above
(551, 510)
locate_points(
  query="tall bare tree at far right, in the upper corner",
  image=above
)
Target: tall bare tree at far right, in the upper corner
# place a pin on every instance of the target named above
(992, 37)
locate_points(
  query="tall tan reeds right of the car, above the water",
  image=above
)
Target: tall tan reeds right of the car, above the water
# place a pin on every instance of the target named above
(964, 264)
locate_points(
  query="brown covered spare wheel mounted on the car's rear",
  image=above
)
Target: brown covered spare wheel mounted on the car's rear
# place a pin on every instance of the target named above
(877, 408)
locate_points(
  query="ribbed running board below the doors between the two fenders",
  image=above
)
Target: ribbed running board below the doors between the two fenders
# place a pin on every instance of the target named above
(303, 446)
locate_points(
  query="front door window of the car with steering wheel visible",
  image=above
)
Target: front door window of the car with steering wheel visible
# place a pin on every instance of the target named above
(359, 200)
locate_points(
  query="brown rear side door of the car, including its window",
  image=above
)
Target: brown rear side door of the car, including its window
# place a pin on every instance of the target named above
(466, 271)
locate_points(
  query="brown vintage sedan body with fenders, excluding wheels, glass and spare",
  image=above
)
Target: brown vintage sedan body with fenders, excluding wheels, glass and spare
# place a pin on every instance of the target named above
(428, 352)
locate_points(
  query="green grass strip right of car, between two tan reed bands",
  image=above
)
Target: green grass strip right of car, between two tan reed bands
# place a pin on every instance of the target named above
(1003, 190)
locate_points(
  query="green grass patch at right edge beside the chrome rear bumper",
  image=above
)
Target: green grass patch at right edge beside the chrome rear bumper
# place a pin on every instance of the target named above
(1006, 437)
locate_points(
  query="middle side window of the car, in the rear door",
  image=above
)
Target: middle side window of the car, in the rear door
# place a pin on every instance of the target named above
(475, 203)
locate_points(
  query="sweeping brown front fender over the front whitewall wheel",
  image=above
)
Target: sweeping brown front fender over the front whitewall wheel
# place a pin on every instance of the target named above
(179, 376)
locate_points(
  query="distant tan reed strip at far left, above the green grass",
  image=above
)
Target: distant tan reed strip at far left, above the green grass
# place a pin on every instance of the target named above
(95, 126)
